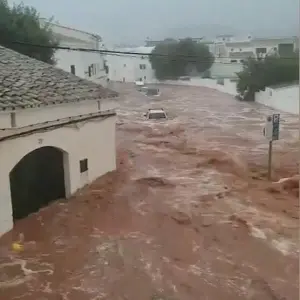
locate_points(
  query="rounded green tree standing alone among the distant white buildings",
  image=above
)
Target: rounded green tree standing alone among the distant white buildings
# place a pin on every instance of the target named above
(172, 59)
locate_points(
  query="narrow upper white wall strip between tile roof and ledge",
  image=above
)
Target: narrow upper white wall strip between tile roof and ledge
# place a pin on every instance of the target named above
(32, 116)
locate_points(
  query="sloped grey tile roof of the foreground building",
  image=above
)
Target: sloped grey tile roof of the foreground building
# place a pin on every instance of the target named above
(26, 82)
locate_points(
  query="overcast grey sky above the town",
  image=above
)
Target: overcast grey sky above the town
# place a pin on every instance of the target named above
(134, 20)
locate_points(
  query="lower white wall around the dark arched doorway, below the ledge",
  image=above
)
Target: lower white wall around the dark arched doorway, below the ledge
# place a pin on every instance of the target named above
(98, 138)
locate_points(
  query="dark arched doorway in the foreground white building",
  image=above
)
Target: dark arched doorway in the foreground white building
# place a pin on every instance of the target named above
(36, 180)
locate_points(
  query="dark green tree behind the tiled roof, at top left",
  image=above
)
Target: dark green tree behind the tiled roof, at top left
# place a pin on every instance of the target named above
(21, 23)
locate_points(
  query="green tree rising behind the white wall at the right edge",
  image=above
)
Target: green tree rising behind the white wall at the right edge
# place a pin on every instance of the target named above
(257, 74)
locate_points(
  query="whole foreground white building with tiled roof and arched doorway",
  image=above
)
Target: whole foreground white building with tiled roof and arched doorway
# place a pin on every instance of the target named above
(57, 134)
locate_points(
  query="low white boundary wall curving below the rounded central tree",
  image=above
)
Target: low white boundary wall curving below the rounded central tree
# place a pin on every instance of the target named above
(227, 85)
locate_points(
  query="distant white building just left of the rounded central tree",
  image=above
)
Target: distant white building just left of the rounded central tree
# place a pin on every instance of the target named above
(130, 68)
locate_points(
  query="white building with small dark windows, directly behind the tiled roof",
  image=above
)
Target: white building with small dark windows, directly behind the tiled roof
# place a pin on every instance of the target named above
(88, 65)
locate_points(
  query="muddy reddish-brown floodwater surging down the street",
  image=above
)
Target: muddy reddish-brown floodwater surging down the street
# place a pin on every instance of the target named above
(187, 215)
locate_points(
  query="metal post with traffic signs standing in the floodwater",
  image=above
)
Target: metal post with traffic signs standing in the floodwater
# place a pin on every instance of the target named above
(271, 132)
